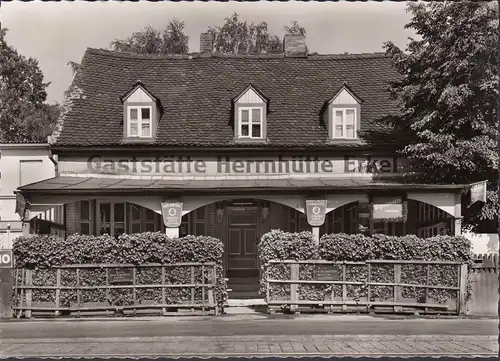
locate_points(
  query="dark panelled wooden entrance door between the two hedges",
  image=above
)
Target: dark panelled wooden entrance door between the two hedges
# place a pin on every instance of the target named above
(242, 245)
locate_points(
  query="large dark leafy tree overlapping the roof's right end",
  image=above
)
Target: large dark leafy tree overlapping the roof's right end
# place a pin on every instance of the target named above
(448, 92)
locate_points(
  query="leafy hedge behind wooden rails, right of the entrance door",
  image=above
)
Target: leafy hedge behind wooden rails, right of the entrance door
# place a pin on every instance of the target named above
(360, 248)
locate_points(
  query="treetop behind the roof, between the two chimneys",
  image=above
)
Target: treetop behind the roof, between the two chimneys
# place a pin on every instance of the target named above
(239, 37)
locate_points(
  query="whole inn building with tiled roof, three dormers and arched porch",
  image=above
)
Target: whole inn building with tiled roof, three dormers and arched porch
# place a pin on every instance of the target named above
(239, 144)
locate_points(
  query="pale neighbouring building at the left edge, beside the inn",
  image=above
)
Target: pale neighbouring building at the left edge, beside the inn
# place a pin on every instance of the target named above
(22, 164)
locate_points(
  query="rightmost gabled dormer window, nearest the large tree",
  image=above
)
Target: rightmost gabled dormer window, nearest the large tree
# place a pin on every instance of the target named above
(343, 115)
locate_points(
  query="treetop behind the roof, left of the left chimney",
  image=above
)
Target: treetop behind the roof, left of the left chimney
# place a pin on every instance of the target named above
(172, 40)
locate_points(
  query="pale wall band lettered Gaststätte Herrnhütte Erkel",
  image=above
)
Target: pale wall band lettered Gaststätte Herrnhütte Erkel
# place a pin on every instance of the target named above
(225, 165)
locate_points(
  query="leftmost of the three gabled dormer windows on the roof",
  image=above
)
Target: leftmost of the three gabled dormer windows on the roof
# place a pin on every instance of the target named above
(141, 114)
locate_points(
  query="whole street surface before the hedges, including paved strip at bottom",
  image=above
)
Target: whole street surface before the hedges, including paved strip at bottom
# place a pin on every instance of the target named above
(251, 335)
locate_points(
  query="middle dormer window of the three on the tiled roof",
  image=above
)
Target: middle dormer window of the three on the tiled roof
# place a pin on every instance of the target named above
(250, 115)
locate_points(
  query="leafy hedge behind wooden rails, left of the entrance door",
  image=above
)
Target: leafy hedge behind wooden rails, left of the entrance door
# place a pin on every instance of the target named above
(42, 252)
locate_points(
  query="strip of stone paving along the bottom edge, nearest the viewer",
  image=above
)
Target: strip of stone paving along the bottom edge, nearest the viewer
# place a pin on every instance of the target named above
(254, 345)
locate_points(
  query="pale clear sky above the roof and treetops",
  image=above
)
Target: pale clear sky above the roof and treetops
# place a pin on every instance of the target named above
(56, 33)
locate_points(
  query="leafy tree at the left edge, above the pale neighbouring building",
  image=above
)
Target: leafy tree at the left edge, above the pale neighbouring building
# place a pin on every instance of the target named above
(23, 114)
